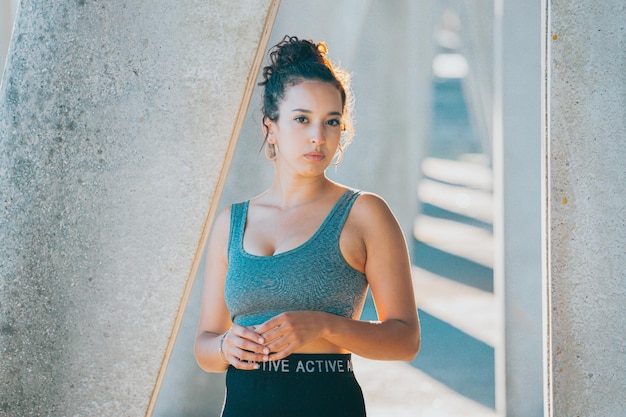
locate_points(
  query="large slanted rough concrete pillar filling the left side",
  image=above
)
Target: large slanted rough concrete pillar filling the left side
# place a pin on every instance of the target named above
(115, 119)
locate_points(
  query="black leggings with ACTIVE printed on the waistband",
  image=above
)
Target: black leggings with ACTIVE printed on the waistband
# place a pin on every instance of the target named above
(301, 385)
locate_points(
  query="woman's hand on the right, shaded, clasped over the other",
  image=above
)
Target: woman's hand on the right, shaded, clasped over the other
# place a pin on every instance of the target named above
(287, 332)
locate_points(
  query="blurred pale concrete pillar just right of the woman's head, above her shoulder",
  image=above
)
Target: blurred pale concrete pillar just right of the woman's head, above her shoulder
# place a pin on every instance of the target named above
(392, 73)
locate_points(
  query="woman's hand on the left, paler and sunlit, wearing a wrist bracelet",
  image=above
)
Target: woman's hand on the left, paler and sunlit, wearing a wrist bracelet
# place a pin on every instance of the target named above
(243, 347)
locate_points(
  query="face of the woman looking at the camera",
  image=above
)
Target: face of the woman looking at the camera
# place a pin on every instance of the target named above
(308, 129)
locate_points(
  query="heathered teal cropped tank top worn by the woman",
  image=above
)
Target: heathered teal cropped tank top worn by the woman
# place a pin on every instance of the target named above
(313, 276)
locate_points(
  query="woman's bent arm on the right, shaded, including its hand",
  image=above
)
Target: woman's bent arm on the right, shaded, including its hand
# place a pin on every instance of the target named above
(396, 336)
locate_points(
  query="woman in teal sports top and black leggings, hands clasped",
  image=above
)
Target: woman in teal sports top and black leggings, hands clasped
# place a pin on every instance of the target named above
(287, 271)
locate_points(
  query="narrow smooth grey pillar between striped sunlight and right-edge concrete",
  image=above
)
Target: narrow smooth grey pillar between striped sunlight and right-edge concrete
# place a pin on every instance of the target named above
(518, 132)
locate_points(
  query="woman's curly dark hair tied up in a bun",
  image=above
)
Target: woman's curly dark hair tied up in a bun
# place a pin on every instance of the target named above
(294, 60)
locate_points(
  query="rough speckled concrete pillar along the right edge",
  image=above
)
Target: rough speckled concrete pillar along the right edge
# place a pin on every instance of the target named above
(584, 206)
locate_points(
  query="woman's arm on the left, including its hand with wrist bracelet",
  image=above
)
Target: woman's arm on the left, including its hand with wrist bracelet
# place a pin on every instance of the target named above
(240, 344)
